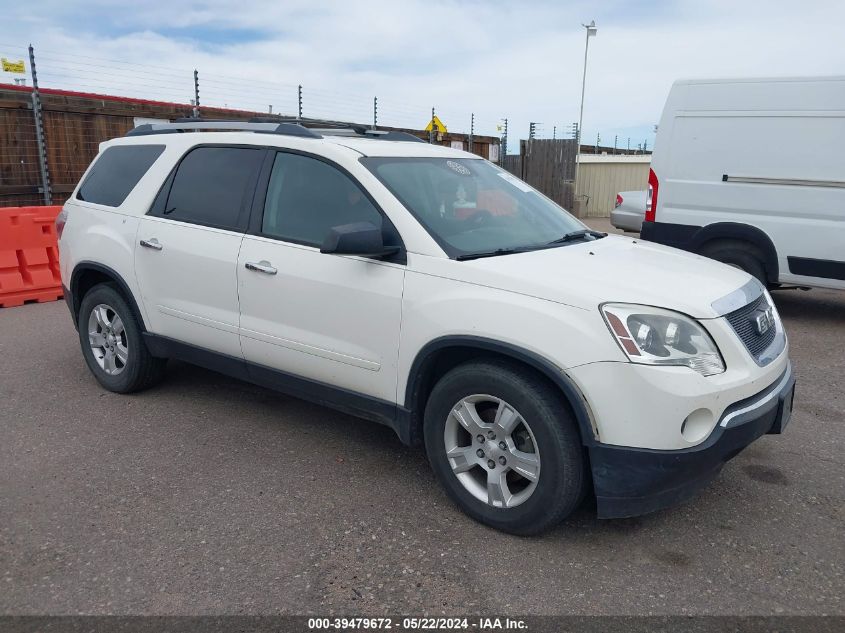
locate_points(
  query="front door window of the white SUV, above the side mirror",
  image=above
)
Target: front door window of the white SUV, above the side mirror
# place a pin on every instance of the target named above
(306, 197)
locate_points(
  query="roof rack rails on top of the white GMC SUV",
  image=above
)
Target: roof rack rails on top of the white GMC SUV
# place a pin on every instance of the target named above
(306, 128)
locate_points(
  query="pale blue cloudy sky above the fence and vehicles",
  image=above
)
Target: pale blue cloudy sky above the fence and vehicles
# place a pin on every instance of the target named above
(520, 60)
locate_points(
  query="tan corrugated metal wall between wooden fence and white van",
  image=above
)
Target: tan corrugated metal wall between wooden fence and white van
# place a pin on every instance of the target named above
(602, 177)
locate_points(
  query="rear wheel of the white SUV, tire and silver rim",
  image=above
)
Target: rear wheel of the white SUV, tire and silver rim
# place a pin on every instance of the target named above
(106, 319)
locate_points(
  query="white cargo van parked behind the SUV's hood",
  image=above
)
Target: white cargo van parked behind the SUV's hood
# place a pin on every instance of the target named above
(751, 172)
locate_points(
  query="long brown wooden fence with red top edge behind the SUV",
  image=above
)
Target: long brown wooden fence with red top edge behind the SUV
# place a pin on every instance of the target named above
(76, 123)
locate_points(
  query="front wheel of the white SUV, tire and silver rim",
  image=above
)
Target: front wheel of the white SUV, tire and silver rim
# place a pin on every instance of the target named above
(554, 448)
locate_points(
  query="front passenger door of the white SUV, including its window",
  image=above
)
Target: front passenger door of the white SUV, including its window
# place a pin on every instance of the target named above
(327, 318)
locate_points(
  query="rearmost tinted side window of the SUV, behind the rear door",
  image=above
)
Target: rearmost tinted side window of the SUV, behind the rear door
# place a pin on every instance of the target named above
(116, 173)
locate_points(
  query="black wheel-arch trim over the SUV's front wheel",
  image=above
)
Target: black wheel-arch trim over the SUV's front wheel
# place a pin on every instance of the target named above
(425, 357)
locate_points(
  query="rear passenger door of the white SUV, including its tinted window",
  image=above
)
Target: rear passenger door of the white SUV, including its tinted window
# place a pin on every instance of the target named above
(187, 250)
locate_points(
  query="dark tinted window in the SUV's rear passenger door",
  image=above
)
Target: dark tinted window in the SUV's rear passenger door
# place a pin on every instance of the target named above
(212, 184)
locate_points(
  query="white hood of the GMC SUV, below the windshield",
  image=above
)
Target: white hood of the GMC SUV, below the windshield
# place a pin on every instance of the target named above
(611, 269)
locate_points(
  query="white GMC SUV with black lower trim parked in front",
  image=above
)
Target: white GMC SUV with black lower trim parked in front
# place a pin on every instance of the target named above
(426, 289)
